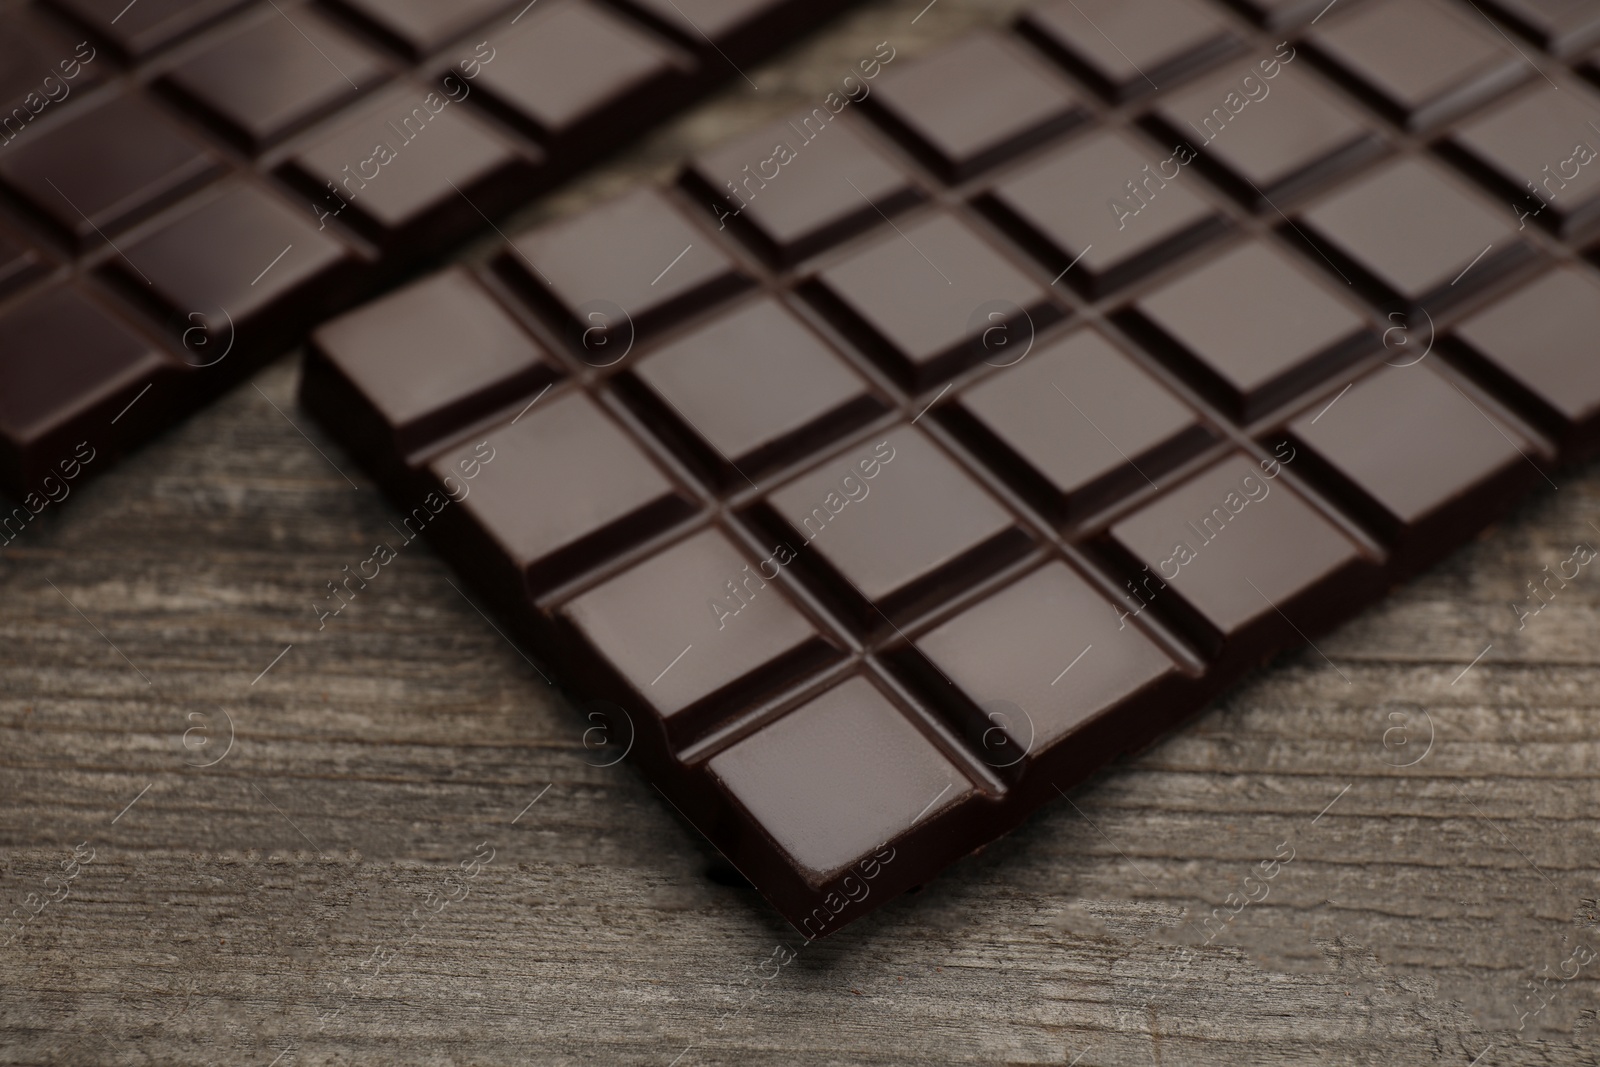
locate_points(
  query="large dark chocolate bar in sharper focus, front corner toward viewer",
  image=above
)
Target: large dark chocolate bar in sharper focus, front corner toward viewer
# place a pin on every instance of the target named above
(905, 463)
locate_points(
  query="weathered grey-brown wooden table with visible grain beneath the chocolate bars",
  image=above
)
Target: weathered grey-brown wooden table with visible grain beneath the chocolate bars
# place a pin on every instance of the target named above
(263, 807)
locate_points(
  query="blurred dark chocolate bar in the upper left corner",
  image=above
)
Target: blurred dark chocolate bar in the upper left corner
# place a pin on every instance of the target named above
(218, 175)
